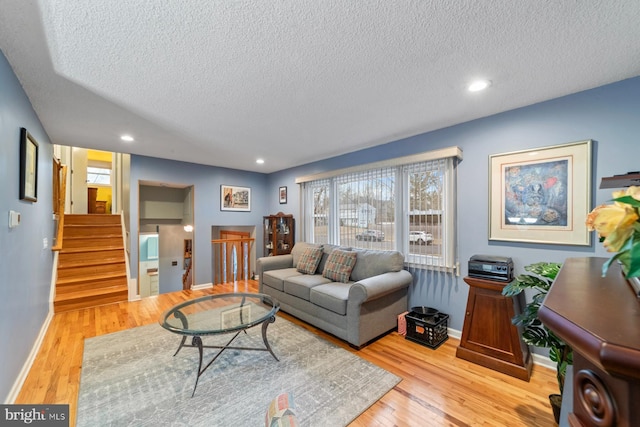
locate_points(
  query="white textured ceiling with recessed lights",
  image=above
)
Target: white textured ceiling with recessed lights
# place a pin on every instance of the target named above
(225, 82)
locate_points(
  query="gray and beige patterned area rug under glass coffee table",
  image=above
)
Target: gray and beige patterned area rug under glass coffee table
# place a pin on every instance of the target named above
(131, 378)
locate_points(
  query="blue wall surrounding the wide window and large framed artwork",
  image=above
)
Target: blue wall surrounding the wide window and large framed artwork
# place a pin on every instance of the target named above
(609, 115)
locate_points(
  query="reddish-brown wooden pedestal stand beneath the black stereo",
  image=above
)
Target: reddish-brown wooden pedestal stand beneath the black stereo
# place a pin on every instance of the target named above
(488, 336)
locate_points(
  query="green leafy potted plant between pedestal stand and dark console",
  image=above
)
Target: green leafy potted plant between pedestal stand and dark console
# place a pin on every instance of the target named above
(533, 331)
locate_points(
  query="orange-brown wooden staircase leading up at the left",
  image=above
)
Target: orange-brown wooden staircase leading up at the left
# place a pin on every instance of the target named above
(91, 263)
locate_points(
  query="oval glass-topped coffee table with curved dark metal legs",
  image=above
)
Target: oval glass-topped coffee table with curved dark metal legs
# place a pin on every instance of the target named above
(220, 314)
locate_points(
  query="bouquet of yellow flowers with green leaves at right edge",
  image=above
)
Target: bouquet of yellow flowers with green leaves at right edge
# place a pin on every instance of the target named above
(618, 227)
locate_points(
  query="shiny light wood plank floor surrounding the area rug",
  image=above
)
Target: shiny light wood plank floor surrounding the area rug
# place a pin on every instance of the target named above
(437, 389)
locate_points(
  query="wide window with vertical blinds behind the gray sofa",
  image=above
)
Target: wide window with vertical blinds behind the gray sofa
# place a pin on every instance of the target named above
(405, 204)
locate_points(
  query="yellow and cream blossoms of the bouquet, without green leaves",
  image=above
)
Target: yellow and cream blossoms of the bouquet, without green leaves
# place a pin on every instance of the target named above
(615, 222)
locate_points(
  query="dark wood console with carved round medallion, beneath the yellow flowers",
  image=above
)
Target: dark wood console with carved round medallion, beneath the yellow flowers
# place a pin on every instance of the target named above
(599, 317)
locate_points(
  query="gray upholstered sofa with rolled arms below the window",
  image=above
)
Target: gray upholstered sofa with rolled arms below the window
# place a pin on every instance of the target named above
(358, 311)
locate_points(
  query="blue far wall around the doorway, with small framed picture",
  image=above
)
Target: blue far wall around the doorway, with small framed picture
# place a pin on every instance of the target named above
(206, 181)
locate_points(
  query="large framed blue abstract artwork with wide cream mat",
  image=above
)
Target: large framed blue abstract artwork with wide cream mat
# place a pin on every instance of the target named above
(541, 195)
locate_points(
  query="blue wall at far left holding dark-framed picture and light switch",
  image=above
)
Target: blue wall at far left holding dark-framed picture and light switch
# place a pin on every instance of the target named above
(25, 266)
